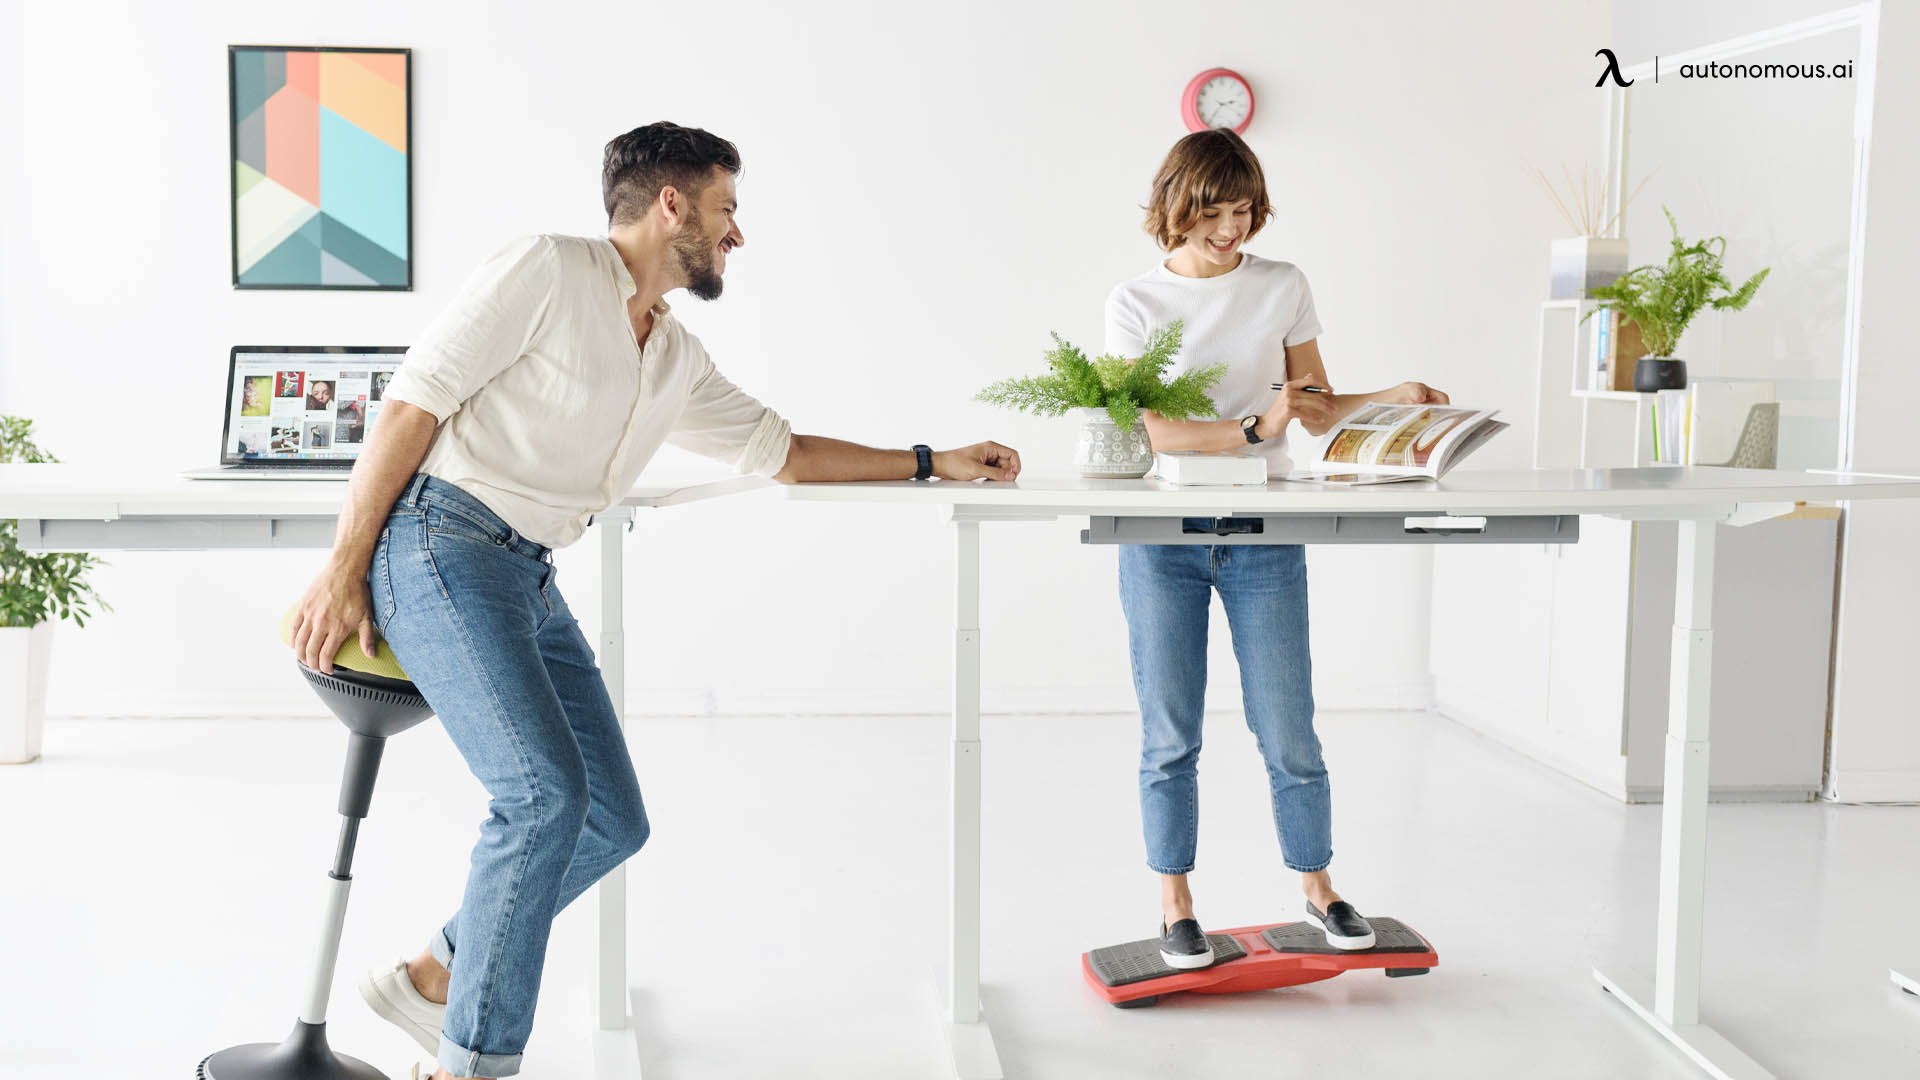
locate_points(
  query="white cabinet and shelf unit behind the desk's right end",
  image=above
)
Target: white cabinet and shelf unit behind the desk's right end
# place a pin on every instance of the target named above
(1562, 650)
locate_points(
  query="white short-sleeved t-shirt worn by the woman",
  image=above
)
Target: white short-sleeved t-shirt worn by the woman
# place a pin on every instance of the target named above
(1243, 318)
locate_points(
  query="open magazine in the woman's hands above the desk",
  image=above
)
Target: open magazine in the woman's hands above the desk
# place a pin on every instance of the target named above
(1381, 445)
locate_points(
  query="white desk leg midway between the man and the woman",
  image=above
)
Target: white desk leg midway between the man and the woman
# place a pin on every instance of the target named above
(967, 1029)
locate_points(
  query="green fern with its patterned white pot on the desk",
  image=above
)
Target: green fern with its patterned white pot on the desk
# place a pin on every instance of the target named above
(1109, 397)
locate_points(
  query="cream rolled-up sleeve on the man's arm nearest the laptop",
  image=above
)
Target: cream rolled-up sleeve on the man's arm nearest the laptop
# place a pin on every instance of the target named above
(483, 331)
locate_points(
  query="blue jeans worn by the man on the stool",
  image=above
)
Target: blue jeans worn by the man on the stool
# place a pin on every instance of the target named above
(471, 612)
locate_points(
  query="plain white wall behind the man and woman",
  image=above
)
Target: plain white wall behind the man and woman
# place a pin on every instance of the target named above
(926, 195)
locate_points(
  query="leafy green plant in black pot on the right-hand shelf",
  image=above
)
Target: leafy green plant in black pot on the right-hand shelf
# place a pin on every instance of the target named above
(1664, 301)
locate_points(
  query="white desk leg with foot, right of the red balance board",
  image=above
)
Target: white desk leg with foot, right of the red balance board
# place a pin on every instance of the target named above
(1675, 1010)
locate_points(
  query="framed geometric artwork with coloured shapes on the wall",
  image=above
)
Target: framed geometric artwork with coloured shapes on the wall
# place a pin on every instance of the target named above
(322, 166)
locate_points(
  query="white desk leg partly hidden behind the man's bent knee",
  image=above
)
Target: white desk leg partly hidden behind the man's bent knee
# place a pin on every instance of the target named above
(615, 1048)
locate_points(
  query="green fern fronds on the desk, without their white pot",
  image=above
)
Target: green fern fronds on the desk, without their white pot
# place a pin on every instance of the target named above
(1113, 383)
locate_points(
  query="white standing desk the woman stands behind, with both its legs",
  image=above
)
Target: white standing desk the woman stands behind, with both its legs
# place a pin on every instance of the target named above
(1466, 508)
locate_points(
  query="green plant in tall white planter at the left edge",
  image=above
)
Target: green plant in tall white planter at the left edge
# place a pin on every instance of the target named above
(34, 593)
